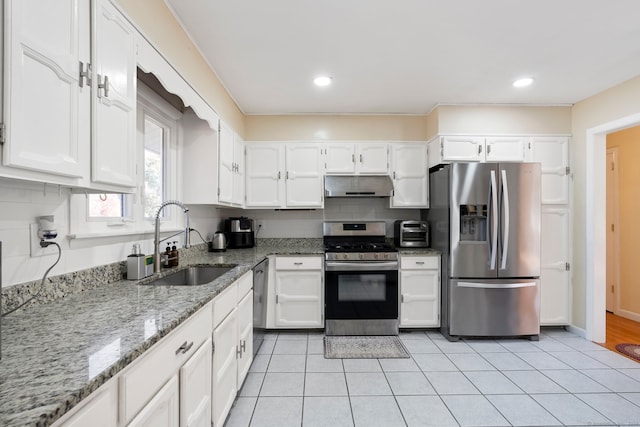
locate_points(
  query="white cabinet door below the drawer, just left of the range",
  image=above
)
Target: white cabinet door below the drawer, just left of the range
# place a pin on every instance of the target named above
(298, 298)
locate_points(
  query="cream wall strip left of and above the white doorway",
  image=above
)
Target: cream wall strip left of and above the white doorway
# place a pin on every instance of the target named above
(614, 103)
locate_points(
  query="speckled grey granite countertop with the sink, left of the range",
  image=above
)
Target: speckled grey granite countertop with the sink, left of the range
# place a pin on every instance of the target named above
(56, 354)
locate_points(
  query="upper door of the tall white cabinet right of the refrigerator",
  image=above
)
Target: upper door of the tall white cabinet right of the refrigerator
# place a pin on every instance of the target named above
(553, 154)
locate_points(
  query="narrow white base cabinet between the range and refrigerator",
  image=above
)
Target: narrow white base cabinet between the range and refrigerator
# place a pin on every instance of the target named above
(419, 291)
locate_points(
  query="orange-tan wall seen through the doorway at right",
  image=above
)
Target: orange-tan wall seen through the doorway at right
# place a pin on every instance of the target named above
(628, 143)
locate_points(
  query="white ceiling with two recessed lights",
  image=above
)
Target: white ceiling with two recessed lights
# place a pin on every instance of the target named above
(406, 56)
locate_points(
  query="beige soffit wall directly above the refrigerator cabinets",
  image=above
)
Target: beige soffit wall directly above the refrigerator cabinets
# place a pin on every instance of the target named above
(507, 119)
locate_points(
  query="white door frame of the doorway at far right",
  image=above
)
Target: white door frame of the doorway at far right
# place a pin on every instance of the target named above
(596, 224)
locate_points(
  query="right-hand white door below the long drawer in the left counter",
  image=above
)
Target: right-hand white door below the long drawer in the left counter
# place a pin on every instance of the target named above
(195, 388)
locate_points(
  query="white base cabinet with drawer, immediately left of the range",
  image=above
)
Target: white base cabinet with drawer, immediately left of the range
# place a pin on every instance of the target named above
(298, 293)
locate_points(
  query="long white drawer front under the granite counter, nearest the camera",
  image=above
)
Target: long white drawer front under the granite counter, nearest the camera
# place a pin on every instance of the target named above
(142, 380)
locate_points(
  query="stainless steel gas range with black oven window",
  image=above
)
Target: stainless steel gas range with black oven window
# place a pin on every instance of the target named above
(361, 279)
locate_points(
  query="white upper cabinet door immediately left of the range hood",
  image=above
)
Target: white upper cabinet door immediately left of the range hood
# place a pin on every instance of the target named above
(304, 176)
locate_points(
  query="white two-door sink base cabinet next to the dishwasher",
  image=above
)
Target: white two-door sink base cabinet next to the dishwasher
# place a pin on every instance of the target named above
(233, 345)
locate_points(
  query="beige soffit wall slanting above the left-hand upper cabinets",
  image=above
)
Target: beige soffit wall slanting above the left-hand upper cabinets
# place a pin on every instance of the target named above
(158, 24)
